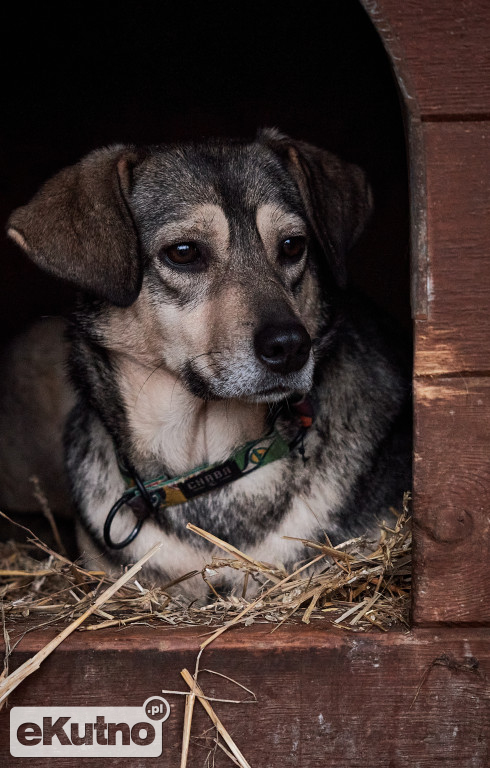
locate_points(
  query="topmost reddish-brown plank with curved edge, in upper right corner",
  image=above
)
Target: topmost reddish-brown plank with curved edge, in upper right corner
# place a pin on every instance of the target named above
(440, 53)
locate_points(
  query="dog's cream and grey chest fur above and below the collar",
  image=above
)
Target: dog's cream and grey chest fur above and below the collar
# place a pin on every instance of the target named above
(266, 513)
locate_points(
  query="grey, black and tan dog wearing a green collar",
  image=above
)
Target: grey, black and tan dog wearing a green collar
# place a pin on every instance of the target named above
(214, 314)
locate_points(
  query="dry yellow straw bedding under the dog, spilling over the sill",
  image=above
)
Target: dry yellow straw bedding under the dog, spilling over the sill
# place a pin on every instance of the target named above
(353, 586)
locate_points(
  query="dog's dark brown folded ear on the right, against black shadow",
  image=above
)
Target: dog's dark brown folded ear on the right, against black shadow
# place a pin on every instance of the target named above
(336, 196)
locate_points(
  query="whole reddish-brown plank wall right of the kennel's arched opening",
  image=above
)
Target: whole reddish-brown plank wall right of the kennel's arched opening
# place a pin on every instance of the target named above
(440, 53)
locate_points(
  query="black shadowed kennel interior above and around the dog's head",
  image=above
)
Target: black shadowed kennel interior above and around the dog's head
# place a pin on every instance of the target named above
(157, 74)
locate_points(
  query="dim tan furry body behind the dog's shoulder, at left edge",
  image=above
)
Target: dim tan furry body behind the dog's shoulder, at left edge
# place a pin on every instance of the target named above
(35, 401)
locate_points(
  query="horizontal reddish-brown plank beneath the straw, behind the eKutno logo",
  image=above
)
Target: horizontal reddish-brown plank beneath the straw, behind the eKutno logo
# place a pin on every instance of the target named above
(325, 698)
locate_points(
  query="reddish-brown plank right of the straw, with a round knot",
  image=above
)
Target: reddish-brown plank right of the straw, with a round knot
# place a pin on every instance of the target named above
(452, 501)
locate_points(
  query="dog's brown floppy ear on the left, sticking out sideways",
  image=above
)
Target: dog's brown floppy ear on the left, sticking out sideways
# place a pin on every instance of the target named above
(80, 228)
